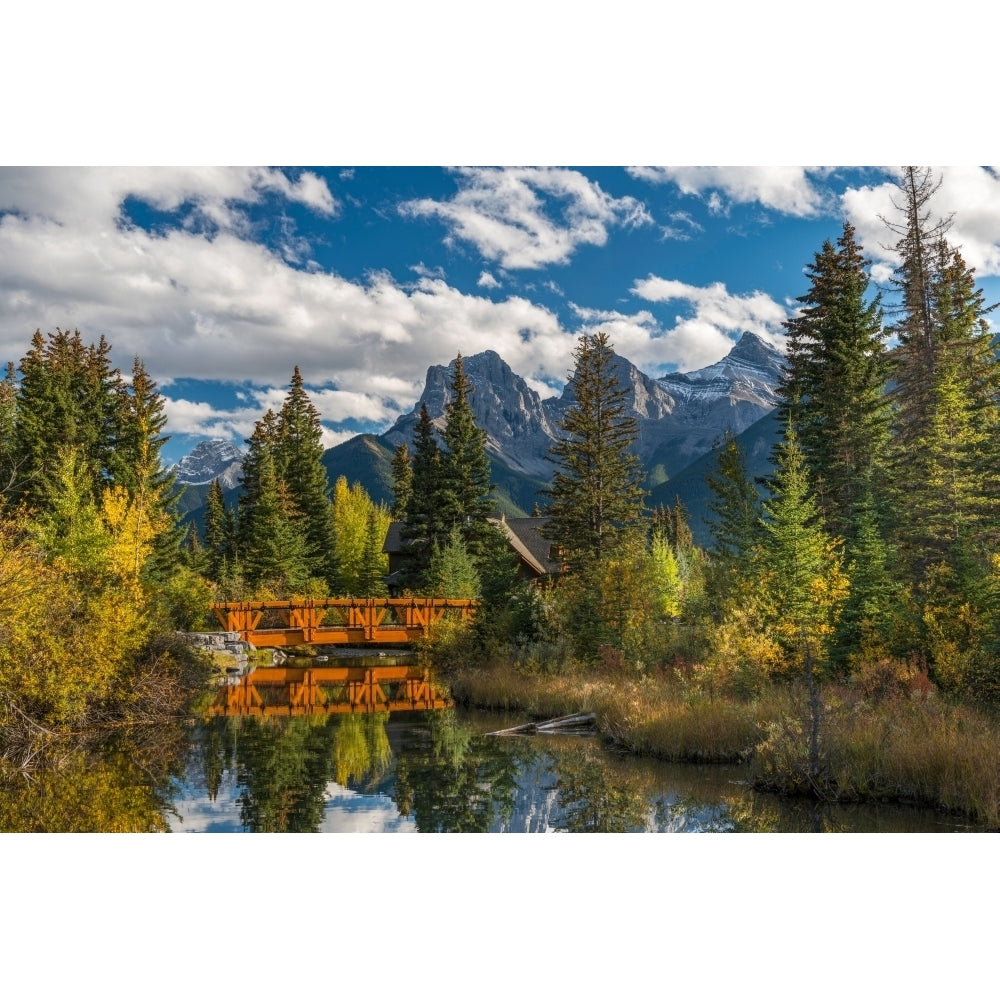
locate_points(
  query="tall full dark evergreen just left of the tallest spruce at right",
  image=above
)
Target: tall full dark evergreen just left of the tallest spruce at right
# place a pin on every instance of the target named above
(833, 387)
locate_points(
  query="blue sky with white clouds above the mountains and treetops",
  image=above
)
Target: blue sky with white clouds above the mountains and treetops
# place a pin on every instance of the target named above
(223, 279)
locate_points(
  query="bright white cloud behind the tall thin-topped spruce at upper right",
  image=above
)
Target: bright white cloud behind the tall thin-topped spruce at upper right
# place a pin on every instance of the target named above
(970, 194)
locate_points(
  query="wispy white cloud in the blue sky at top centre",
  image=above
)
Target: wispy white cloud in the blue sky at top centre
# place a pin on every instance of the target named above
(529, 217)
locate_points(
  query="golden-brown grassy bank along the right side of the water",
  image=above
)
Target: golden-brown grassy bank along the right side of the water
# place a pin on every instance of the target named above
(911, 748)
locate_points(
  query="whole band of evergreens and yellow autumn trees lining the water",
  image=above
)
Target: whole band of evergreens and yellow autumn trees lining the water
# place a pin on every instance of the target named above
(870, 556)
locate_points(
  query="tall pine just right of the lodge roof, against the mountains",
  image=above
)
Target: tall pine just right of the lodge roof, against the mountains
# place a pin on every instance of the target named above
(596, 496)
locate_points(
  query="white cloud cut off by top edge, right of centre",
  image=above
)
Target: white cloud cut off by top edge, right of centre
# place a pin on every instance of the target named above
(786, 189)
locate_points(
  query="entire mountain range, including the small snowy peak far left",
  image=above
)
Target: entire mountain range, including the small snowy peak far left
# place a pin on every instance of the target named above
(679, 417)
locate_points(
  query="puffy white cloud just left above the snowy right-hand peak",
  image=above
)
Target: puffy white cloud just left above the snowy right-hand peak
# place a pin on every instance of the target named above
(717, 318)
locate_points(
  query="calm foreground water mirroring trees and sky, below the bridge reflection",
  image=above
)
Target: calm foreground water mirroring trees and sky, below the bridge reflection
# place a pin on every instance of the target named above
(407, 772)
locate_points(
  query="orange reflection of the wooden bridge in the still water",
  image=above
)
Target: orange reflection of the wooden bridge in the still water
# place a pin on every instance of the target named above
(330, 690)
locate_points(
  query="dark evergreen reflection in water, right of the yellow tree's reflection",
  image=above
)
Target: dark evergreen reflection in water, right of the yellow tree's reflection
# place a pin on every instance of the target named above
(450, 780)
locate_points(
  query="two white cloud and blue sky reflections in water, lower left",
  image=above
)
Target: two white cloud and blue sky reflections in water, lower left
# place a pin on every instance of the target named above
(345, 811)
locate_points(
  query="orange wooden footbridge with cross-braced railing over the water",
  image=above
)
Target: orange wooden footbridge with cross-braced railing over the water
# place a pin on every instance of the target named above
(339, 621)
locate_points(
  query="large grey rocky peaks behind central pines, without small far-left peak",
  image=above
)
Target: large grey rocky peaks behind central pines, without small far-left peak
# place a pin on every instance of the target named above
(679, 416)
